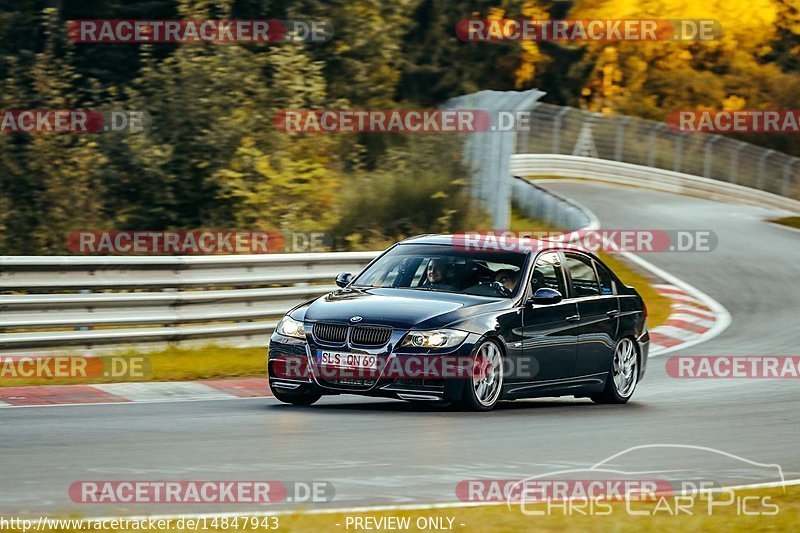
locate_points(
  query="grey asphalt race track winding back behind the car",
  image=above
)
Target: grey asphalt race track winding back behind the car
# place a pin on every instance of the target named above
(379, 452)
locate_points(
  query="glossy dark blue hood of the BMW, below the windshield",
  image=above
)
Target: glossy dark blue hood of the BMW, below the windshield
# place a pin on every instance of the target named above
(398, 308)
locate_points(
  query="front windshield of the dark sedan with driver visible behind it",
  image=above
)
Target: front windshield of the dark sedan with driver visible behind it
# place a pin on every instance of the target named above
(442, 268)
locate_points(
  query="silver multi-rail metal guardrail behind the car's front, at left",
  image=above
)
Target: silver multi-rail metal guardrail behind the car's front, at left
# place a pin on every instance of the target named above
(93, 302)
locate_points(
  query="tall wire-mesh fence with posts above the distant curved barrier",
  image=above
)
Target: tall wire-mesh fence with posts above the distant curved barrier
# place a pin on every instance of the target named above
(650, 144)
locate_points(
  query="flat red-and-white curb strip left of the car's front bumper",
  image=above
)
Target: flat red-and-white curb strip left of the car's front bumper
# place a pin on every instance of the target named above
(145, 392)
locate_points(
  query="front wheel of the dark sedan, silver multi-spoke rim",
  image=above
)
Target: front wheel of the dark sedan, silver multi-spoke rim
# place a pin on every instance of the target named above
(483, 391)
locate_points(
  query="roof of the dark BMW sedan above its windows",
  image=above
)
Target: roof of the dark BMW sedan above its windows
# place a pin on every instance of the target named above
(489, 240)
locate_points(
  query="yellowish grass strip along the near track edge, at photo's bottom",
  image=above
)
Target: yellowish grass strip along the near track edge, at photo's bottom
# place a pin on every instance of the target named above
(660, 515)
